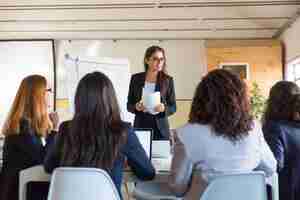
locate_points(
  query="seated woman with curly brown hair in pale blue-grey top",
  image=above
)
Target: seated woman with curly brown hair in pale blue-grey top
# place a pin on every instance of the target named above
(220, 136)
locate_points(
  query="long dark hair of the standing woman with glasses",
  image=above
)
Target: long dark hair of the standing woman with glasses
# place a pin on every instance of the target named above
(162, 75)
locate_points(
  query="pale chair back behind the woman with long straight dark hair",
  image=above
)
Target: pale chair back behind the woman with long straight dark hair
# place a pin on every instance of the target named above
(81, 183)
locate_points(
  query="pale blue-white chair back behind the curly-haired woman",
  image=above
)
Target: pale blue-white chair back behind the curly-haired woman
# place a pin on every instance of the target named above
(248, 186)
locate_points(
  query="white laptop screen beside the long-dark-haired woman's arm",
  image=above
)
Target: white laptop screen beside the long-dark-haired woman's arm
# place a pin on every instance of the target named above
(145, 138)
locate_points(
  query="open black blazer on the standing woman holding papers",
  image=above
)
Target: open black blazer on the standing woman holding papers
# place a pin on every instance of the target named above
(168, 98)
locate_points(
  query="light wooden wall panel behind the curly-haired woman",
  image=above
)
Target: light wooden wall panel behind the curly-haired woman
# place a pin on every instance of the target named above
(264, 58)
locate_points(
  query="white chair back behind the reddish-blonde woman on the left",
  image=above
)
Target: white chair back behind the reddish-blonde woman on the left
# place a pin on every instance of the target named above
(36, 173)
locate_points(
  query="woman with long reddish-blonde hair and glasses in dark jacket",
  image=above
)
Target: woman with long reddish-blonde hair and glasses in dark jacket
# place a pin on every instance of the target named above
(28, 130)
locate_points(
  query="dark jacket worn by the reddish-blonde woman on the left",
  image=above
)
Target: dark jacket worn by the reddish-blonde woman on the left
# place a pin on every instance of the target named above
(20, 152)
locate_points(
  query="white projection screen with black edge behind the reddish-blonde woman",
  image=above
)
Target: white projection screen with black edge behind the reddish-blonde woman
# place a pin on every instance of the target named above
(19, 59)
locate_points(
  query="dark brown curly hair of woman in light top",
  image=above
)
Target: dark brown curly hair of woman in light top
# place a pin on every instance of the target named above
(221, 100)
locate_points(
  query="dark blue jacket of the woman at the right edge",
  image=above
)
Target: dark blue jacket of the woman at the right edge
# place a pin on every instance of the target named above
(283, 138)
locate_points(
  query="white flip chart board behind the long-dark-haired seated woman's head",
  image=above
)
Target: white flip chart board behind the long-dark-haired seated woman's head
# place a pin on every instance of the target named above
(117, 70)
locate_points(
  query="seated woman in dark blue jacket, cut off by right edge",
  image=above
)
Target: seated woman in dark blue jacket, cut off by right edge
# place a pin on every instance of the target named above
(282, 132)
